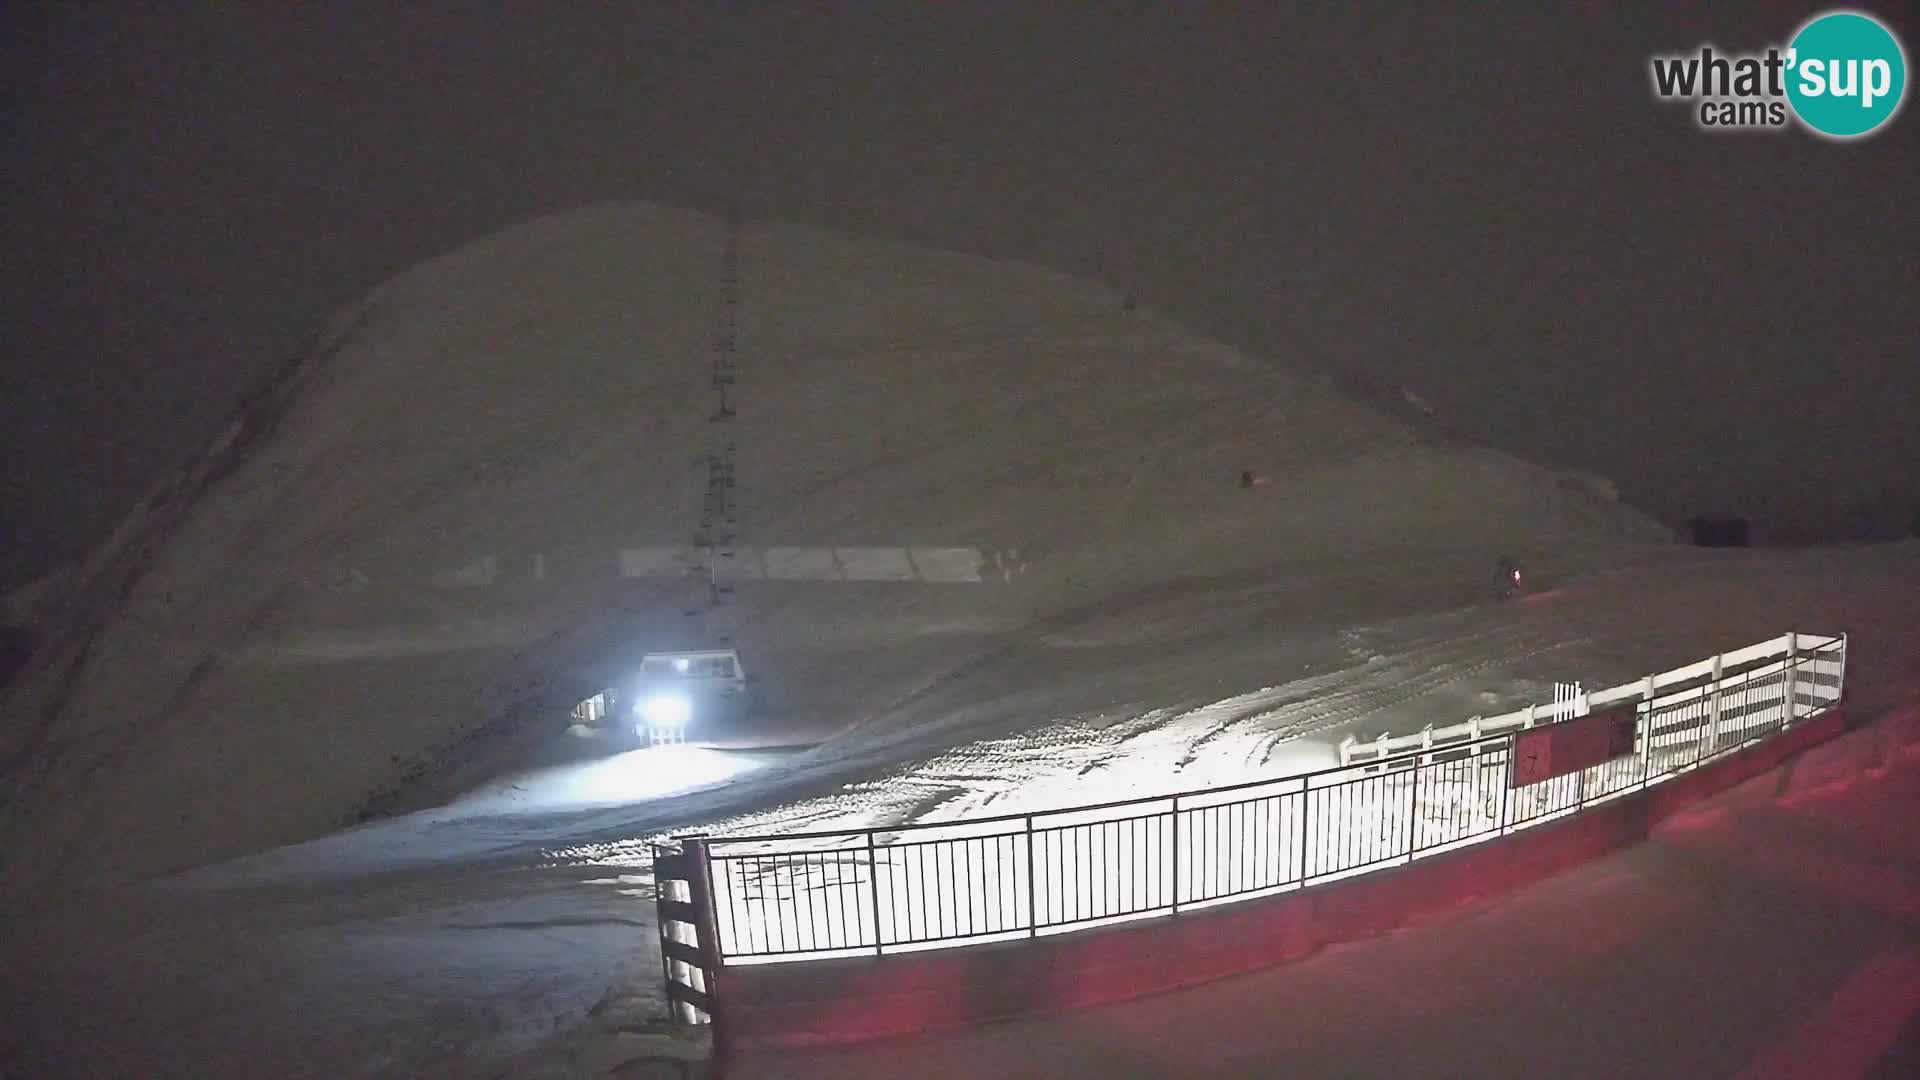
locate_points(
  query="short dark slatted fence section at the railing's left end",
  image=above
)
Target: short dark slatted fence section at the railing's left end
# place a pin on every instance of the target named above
(690, 948)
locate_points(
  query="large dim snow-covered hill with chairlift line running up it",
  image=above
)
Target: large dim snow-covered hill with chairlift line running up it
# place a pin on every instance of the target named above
(277, 660)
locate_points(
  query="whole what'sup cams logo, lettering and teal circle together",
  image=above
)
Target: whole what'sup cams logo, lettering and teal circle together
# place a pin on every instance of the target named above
(1844, 76)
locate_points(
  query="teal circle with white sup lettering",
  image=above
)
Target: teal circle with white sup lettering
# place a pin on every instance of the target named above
(1846, 76)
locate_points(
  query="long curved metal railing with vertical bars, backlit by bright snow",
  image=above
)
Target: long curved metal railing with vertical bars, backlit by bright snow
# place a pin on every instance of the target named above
(934, 885)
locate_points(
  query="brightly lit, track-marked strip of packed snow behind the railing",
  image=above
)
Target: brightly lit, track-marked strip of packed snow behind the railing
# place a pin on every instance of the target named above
(1122, 722)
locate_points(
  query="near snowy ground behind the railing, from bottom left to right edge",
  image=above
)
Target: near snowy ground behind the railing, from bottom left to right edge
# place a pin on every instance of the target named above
(456, 941)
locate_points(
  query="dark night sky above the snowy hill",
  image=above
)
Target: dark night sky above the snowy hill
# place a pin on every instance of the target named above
(1489, 209)
